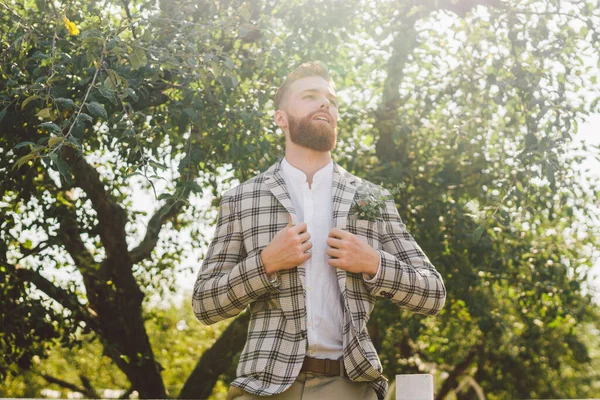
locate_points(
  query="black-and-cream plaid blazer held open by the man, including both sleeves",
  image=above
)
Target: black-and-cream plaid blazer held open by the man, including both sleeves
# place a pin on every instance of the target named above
(232, 278)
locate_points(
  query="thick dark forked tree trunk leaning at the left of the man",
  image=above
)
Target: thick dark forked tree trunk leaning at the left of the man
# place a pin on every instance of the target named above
(112, 291)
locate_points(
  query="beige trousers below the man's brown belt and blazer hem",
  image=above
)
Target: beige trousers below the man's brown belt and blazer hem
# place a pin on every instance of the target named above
(311, 386)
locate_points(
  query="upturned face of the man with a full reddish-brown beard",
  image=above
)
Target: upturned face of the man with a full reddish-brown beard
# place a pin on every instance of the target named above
(312, 113)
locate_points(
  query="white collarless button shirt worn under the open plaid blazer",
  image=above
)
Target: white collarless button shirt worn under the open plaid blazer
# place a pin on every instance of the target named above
(324, 312)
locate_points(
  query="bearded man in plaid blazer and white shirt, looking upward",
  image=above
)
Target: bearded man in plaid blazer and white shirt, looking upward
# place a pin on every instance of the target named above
(294, 244)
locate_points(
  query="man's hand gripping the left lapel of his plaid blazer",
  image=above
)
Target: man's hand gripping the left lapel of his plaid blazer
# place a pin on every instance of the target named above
(288, 248)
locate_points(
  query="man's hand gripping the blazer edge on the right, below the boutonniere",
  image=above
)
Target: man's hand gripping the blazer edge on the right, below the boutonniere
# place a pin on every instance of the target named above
(351, 253)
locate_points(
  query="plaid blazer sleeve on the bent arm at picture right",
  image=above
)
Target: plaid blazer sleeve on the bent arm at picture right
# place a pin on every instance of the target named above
(405, 275)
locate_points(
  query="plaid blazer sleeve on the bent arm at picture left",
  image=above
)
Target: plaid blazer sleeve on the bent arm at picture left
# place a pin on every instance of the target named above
(229, 278)
